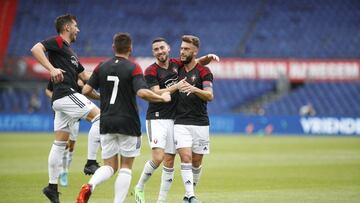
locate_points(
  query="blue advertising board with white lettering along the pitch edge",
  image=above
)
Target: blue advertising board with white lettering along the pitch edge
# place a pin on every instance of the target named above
(224, 124)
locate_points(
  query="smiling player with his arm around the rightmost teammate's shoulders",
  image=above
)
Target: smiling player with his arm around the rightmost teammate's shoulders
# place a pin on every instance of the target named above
(162, 76)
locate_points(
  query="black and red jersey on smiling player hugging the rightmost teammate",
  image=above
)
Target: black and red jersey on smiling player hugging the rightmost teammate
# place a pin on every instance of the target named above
(156, 75)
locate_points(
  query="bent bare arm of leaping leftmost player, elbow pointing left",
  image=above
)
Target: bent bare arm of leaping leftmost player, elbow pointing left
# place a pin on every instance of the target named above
(38, 51)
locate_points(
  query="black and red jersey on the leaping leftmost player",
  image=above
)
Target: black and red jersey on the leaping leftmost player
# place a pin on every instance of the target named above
(62, 56)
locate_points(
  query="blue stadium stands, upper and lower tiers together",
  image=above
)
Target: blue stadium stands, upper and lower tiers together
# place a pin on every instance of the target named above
(309, 29)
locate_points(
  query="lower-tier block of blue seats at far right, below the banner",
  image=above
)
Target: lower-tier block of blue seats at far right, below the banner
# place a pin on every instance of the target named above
(328, 99)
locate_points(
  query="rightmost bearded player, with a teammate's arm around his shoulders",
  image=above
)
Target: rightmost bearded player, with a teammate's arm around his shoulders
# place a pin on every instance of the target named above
(191, 128)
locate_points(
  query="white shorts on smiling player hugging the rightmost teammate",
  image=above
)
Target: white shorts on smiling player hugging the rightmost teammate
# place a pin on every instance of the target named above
(161, 134)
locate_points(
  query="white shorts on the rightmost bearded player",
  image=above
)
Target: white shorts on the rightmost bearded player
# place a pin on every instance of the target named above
(193, 136)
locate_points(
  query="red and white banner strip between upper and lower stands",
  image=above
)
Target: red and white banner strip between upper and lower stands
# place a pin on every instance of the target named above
(297, 70)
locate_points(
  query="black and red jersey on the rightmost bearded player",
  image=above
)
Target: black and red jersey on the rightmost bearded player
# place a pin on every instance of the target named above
(191, 110)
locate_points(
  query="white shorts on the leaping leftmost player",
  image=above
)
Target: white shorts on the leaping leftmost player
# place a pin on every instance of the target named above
(70, 109)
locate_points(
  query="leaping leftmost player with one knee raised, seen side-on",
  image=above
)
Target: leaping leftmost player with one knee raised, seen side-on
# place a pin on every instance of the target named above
(69, 106)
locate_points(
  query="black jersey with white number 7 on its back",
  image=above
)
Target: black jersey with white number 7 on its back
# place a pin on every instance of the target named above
(118, 80)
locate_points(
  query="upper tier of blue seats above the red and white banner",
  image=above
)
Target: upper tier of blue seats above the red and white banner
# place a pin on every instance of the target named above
(261, 29)
